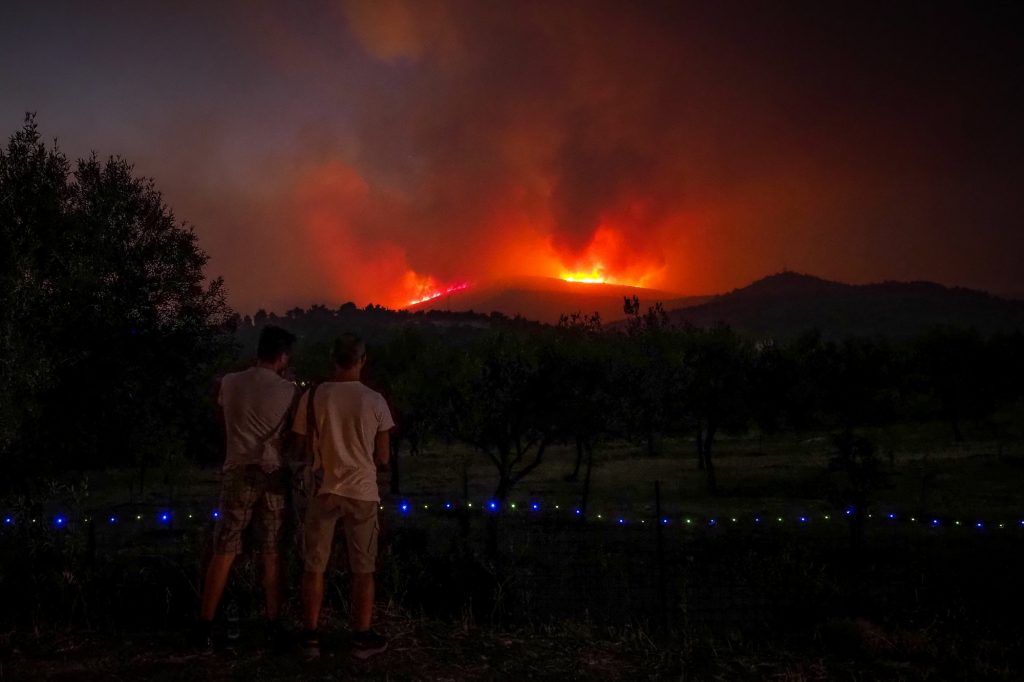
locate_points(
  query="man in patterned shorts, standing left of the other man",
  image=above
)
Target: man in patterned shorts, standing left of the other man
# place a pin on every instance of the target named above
(257, 405)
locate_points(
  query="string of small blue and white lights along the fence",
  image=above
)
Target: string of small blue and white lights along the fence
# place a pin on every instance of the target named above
(539, 510)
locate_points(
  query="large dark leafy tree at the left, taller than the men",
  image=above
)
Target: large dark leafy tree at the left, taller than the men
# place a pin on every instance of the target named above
(110, 327)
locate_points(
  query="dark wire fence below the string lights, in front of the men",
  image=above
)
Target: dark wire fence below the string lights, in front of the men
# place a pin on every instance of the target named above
(542, 563)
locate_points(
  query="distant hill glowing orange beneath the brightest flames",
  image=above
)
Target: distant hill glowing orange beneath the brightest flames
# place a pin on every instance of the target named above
(546, 300)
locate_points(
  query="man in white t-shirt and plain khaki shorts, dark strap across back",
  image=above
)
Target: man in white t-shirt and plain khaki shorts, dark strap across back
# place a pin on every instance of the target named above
(349, 424)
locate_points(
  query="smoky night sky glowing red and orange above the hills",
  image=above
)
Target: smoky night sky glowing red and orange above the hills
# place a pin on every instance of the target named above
(328, 152)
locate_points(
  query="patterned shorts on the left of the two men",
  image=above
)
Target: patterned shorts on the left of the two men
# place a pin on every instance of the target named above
(246, 493)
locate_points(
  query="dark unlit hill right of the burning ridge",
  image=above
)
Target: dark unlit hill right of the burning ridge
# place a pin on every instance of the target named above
(788, 304)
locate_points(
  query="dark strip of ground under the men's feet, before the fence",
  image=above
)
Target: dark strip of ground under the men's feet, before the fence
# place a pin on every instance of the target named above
(422, 650)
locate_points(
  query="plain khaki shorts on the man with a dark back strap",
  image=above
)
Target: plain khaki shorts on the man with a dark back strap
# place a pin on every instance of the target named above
(359, 518)
